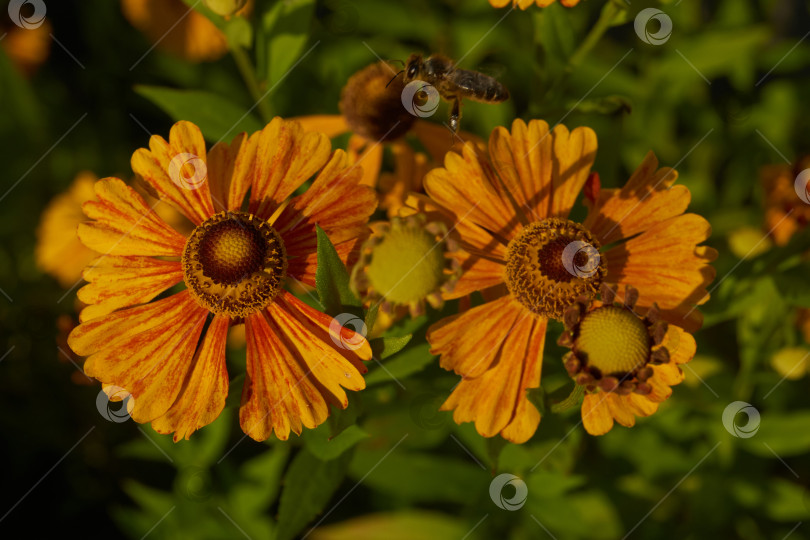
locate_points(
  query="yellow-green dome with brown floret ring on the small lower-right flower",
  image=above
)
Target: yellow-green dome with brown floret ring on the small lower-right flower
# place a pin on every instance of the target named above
(612, 348)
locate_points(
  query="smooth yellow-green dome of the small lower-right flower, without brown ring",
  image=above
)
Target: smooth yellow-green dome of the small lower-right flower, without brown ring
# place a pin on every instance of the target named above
(614, 340)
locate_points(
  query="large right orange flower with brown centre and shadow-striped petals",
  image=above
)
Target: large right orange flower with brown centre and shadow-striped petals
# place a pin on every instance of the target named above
(531, 262)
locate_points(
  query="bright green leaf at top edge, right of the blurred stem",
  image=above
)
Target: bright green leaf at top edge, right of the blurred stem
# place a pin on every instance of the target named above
(285, 30)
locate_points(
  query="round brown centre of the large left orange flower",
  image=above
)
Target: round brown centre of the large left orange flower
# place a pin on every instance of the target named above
(234, 263)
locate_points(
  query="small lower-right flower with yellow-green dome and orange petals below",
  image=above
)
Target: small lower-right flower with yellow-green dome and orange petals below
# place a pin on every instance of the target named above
(627, 363)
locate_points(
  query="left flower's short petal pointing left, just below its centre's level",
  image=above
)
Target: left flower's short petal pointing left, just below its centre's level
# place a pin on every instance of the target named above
(117, 282)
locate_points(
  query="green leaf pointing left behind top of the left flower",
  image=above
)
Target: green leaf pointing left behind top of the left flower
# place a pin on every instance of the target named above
(216, 116)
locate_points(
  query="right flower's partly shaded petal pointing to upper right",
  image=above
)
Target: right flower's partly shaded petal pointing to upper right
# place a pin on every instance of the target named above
(645, 200)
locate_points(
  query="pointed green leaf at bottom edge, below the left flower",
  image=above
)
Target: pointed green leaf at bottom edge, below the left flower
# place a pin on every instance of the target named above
(308, 486)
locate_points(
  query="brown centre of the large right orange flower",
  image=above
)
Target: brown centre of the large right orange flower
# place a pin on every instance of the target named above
(550, 263)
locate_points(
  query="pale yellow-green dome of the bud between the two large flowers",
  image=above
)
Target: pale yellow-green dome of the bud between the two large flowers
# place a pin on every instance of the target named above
(407, 264)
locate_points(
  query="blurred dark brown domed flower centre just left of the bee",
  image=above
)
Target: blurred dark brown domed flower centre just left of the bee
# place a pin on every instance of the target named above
(372, 109)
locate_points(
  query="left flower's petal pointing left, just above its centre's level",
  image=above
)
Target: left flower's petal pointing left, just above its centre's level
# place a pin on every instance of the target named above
(125, 225)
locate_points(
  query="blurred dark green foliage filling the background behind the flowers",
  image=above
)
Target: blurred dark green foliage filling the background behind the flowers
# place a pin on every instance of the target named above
(725, 95)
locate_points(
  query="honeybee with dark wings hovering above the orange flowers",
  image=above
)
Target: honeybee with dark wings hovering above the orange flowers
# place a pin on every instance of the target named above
(454, 84)
